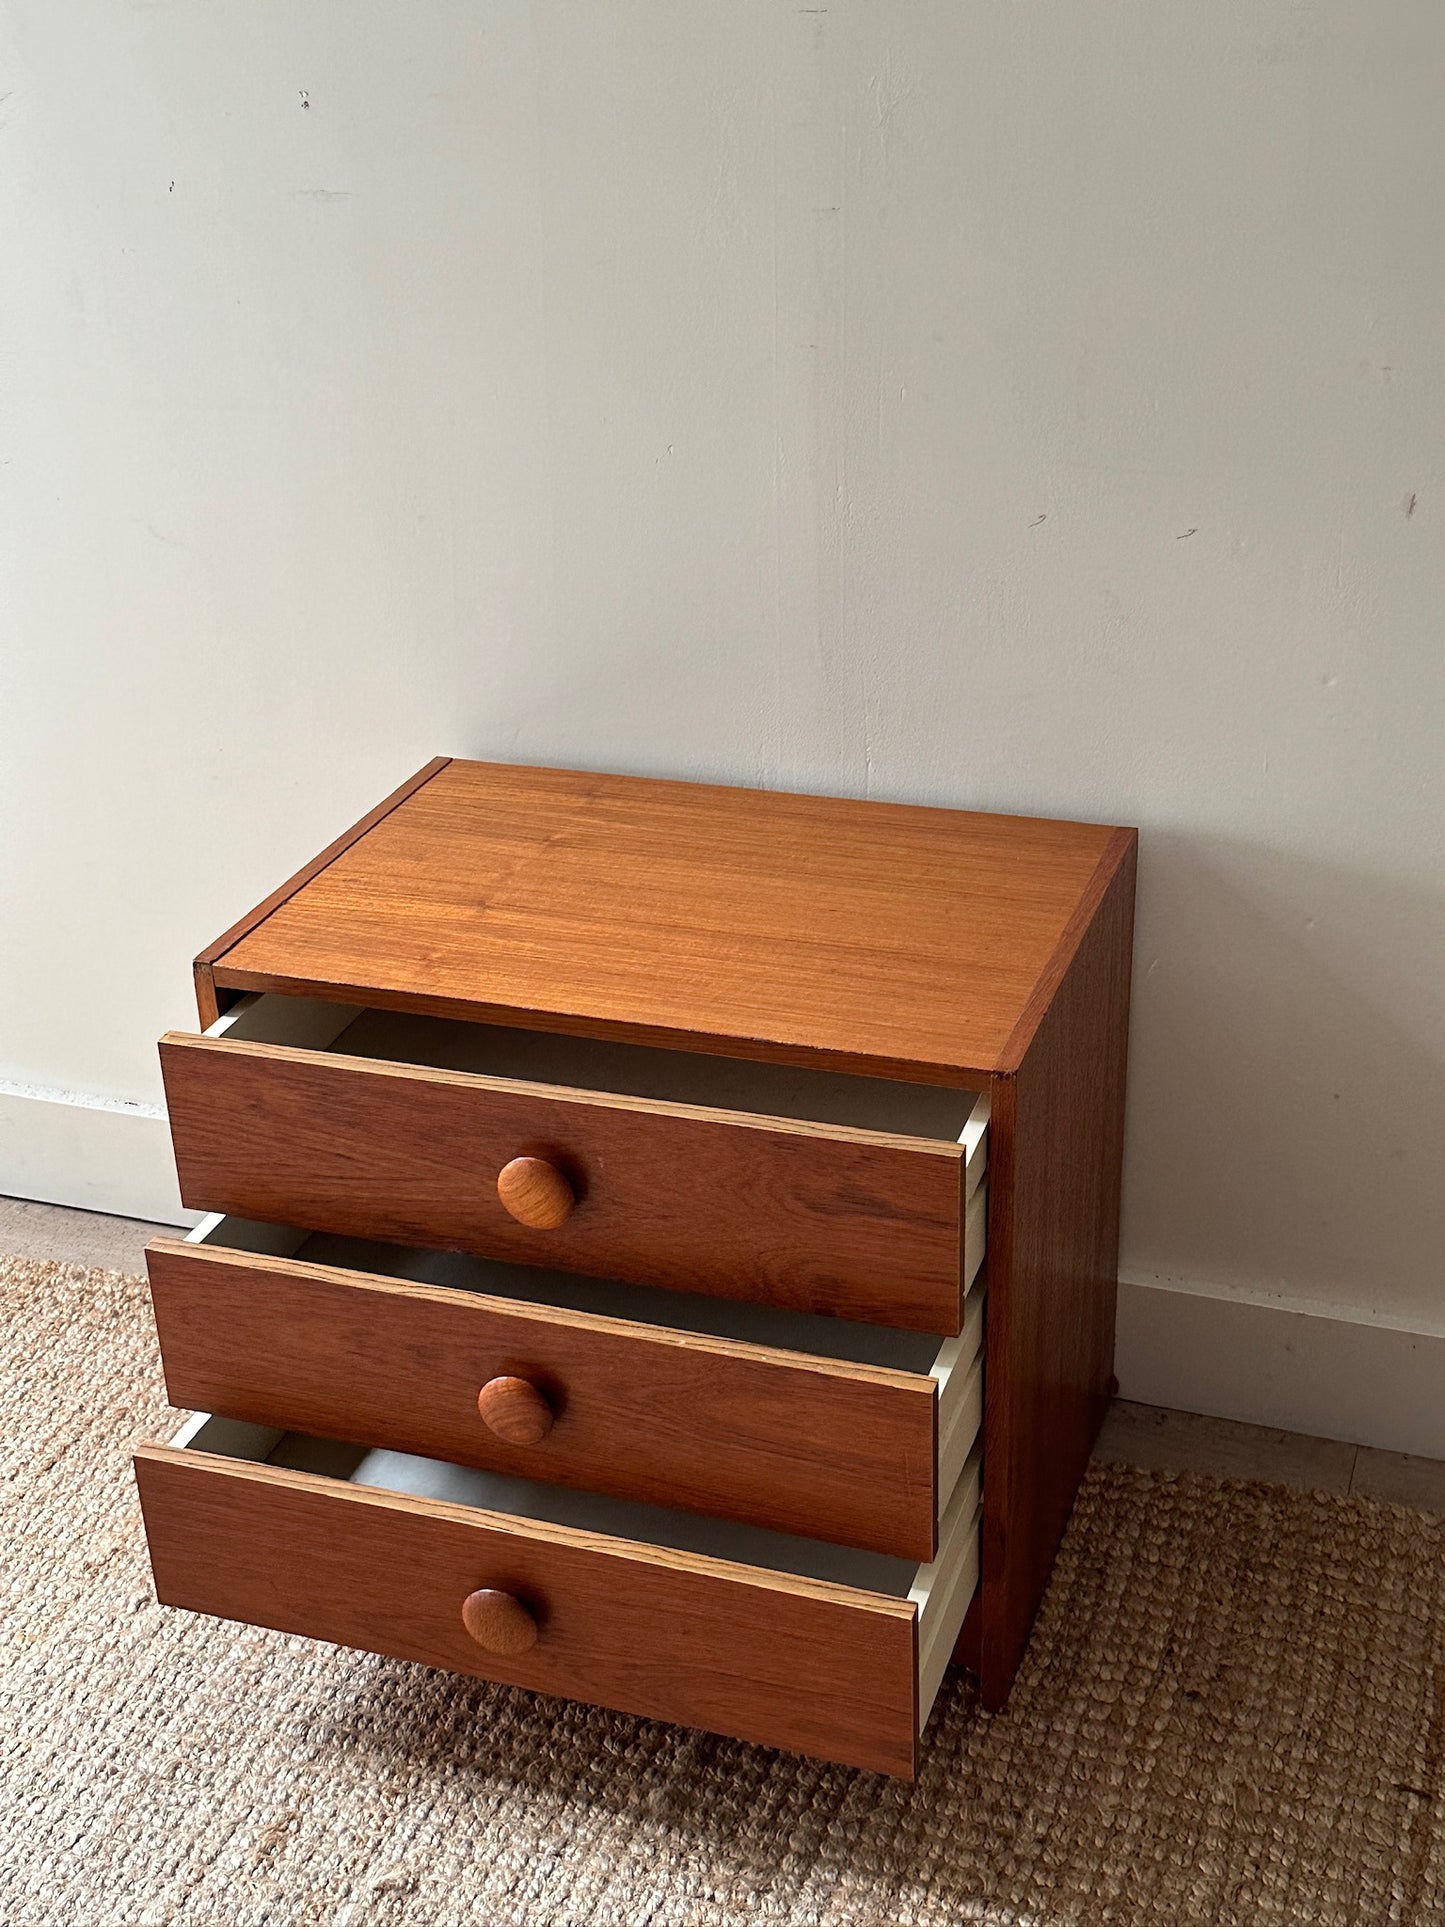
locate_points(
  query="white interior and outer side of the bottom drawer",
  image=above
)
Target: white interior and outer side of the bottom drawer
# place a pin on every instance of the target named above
(941, 1589)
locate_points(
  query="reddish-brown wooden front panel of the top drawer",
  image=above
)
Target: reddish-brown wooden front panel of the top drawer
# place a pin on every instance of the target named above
(826, 1219)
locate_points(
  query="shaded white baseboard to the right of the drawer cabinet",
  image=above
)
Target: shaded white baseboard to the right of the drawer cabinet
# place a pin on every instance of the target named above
(1282, 1365)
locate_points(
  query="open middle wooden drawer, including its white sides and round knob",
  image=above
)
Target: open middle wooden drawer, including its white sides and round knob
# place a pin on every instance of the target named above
(785, 1419)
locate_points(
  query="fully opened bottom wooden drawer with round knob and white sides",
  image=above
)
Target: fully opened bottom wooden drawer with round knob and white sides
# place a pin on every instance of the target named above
(714, 1625)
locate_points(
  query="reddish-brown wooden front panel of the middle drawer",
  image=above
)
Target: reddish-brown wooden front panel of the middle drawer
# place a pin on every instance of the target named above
(810, 1446)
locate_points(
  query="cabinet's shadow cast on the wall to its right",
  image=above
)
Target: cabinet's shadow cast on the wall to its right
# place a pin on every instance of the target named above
(1286, 1124)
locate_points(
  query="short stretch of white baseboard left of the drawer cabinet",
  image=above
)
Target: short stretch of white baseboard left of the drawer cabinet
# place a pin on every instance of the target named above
(66, 1148)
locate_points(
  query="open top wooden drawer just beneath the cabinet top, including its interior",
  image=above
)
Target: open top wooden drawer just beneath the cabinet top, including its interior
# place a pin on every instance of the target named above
(799, 1188)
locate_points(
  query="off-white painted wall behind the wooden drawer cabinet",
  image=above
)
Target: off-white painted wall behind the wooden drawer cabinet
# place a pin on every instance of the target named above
(1030, 408)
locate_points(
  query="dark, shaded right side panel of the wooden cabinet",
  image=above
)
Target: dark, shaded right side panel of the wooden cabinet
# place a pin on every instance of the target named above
(1057, 1146)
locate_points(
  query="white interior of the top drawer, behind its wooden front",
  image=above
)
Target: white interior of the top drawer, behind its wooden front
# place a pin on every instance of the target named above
(625, 1070)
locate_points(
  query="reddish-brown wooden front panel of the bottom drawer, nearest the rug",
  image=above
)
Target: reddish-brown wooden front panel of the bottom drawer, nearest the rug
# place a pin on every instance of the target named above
(760, 1656)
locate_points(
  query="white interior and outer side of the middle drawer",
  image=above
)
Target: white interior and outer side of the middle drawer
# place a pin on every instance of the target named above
(955, 1363)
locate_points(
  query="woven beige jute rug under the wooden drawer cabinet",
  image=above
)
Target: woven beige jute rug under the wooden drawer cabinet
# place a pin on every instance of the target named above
(1234, 1712)
